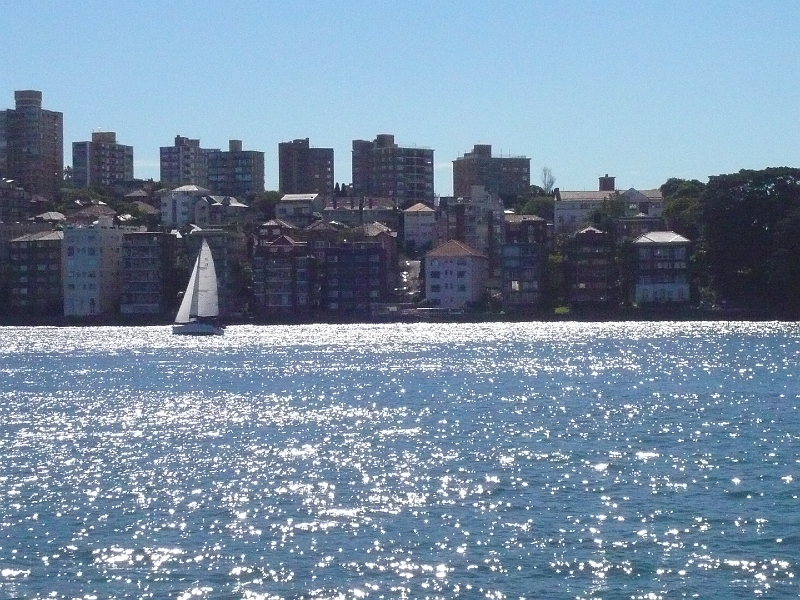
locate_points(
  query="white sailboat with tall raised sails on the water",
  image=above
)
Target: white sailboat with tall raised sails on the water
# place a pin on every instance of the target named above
(200, 306)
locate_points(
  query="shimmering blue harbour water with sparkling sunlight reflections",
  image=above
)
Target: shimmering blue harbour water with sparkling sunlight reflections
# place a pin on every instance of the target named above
(629, 460)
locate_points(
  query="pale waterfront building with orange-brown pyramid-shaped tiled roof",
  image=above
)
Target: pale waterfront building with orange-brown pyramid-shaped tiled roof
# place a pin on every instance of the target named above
(455, 276)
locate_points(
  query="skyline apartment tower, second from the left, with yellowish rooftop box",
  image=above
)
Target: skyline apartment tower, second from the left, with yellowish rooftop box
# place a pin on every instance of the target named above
(101, 162)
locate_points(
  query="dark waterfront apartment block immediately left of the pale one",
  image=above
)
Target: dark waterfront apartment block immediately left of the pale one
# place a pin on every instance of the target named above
(37, 267)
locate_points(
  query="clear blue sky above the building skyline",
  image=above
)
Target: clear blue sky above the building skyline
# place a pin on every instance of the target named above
(643, 91)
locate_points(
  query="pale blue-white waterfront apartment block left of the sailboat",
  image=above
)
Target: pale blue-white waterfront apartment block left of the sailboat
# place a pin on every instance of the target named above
(92, 268)
